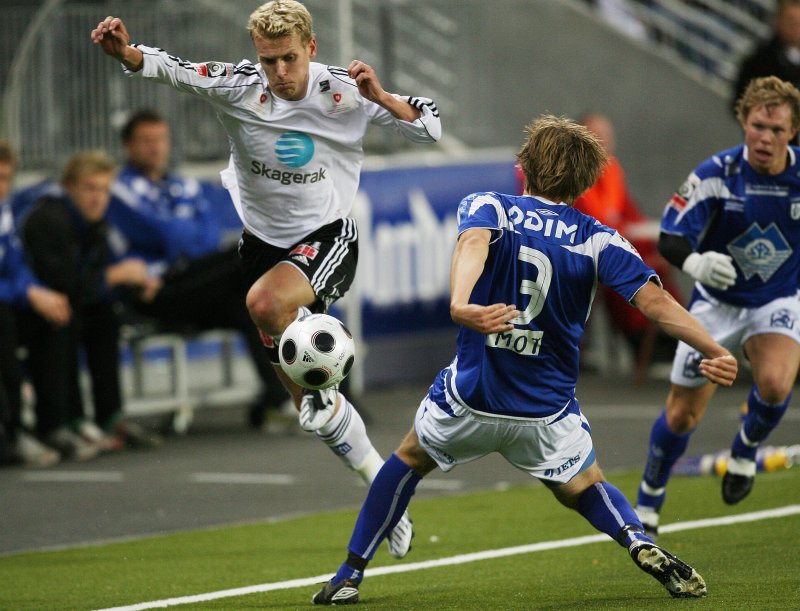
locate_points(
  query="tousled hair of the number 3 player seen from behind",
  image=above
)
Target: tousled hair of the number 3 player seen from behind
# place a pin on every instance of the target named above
(560, 159)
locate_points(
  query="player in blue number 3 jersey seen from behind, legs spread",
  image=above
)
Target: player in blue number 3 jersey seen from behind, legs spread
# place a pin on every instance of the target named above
(511, 387)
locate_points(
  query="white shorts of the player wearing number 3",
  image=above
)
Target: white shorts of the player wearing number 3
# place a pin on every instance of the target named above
(554, 452)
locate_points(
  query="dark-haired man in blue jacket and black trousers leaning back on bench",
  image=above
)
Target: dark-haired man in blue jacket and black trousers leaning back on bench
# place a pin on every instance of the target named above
(167, 220)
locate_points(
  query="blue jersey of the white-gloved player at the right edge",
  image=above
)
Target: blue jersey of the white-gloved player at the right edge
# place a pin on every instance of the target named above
(728, 207)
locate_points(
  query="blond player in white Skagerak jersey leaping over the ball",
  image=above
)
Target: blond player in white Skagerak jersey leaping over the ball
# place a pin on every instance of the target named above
(295, 129)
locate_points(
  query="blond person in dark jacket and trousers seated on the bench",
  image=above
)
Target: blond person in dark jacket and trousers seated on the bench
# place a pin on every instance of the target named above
(65, 238)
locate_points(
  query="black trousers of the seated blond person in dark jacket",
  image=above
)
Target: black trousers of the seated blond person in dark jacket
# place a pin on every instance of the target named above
(53, 364)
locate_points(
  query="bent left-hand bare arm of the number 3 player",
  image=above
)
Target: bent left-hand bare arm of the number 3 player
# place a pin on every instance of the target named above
(468, 260)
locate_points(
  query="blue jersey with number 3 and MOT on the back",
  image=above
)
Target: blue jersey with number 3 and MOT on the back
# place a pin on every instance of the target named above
(545, 258)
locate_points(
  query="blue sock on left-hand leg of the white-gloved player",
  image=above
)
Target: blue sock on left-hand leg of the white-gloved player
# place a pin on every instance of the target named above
(666, 447)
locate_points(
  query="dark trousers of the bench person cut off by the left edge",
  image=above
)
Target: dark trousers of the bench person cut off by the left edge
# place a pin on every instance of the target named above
(10, 375)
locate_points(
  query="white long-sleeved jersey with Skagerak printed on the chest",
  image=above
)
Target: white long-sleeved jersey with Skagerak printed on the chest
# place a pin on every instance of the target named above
(294, 165)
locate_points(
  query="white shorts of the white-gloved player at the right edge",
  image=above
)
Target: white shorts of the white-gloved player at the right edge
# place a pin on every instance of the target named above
(731, 327)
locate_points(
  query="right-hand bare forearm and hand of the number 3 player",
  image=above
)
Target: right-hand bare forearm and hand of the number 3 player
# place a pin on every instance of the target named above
(660, 307)
